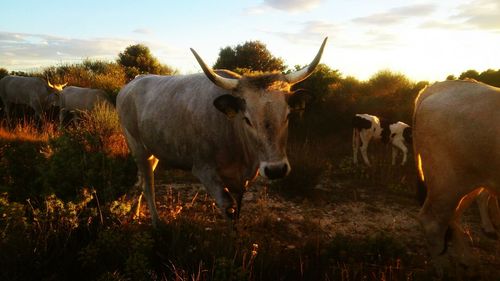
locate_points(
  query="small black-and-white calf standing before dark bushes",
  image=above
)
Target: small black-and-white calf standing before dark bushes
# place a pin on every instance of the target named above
(367, 127)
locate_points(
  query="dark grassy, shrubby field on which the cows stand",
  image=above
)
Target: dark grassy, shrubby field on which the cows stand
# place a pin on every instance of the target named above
(66, 213)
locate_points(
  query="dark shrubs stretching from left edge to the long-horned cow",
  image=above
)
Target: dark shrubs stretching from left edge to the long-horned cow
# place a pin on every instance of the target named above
(93, 155)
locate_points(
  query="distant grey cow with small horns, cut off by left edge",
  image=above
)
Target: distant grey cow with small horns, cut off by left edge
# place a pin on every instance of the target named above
(30, 91)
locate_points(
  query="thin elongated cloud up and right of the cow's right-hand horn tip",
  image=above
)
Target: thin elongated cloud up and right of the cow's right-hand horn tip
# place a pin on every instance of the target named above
(397, 15)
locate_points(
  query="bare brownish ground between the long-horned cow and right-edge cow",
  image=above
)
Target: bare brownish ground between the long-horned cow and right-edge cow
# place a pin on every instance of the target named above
(342, 208)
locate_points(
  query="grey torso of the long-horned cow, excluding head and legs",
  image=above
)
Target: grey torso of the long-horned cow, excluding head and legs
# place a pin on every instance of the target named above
(174, 116)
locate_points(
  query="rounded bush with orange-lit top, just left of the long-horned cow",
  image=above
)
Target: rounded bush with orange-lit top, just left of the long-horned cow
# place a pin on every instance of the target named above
(94, 154)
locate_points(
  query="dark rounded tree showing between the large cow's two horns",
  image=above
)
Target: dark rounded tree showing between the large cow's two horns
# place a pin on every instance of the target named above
(251, 56)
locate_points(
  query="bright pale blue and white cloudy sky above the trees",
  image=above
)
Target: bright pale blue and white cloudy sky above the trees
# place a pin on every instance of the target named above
(423, 39)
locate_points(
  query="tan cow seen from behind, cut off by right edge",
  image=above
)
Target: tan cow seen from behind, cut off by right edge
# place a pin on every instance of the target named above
(457, 151)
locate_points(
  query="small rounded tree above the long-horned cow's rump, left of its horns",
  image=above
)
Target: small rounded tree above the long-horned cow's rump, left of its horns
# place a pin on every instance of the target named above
(137, 59)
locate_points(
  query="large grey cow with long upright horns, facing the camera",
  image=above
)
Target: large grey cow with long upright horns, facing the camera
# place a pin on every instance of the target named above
(223, 127)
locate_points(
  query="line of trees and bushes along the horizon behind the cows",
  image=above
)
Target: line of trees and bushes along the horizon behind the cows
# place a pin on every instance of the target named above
(330, 98)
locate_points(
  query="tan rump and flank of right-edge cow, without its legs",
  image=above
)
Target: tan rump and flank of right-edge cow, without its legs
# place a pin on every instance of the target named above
(456, 125)
